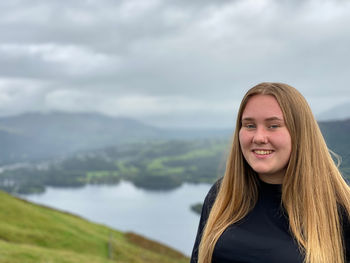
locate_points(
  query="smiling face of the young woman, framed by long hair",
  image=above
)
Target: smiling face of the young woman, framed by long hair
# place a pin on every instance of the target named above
(264, 139)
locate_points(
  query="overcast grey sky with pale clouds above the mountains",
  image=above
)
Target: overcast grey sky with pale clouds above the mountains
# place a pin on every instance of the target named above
(171, 63)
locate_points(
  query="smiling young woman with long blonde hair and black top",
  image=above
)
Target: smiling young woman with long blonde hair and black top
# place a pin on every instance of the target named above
(282, 198)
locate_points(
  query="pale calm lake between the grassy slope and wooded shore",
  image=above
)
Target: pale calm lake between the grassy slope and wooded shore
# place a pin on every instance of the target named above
(164, 216)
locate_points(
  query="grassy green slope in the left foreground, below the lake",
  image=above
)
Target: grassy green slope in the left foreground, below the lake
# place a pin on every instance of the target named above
(31, 233)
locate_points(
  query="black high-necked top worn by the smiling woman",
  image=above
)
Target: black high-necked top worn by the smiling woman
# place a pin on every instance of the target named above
(262, 236)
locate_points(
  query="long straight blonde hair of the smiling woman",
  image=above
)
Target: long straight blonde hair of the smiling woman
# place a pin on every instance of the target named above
(313, 189)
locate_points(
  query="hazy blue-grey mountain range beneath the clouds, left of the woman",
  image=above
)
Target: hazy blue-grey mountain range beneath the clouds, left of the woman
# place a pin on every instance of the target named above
(33, 136)
